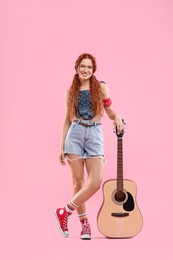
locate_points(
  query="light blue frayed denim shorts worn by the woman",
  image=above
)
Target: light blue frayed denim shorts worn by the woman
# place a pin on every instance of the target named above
(84, 141)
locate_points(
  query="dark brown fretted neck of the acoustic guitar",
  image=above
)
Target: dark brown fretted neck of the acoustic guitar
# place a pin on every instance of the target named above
(119, 164)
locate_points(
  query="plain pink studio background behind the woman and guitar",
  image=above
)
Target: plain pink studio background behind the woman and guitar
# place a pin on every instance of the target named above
(40, 41)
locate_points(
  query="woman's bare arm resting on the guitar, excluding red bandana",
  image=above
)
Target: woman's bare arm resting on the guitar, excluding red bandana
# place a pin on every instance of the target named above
(110, 111)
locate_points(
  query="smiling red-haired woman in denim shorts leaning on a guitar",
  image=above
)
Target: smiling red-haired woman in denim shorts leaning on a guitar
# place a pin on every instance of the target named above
(82, 139)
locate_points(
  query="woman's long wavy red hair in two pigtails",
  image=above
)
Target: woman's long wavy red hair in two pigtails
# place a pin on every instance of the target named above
(95, 89)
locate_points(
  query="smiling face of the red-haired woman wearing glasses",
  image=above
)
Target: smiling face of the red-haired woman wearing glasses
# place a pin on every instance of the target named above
(85, 69)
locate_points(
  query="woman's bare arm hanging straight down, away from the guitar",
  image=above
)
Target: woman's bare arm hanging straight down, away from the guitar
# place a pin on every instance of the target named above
(65, 127)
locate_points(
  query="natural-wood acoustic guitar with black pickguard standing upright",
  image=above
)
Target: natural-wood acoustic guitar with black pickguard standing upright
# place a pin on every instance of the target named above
(119, 215)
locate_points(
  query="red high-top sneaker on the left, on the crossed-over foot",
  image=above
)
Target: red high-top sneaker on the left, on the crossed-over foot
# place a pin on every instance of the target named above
(62, 217)
